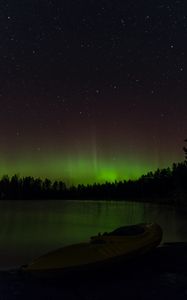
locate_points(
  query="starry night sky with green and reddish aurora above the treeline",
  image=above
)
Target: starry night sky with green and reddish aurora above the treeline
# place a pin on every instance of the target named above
(92, 90)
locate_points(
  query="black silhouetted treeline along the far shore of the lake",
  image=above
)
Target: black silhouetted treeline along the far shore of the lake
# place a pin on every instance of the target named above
(168, 185)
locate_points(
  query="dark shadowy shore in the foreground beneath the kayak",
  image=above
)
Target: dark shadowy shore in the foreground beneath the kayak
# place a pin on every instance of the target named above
(160, 275)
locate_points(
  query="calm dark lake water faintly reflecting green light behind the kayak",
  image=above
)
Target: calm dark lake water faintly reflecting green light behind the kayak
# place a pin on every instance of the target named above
(31, 228)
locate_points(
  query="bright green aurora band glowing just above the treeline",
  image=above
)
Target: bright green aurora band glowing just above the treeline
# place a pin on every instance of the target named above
(78, 170)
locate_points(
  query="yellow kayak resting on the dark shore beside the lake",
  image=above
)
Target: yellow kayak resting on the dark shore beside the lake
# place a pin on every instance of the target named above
(121, 244)
